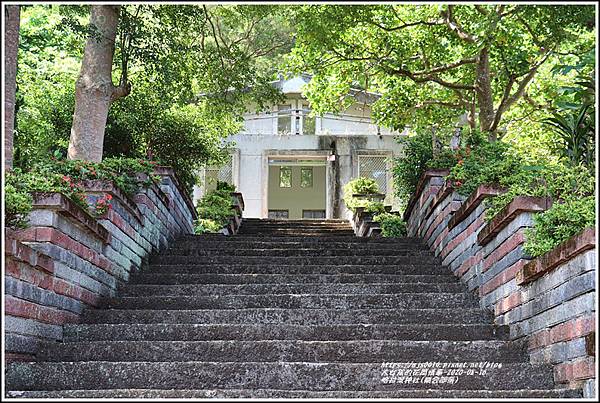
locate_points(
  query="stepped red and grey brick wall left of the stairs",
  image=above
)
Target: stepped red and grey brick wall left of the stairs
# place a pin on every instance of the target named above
(67, 260)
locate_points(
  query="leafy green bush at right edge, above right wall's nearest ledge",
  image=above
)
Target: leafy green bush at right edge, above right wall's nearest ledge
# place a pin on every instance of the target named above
(557, 224)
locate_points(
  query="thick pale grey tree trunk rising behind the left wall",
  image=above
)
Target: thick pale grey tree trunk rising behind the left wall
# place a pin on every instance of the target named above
(94, 89)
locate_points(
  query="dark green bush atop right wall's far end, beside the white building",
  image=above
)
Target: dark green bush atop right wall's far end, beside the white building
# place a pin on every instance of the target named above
(417, 157)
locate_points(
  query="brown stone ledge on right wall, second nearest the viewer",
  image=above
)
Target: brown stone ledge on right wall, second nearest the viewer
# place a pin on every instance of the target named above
(518, 205)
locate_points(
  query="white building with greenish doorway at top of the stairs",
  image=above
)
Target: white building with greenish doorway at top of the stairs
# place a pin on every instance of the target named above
(288, 164)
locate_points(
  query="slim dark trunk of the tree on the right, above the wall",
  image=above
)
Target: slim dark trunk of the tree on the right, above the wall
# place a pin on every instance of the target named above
(485, 98)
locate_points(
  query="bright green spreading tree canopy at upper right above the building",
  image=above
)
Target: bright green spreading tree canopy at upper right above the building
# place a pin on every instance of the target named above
(423, 58)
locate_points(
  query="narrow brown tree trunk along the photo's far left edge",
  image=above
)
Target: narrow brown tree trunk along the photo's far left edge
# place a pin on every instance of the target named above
(12, 16)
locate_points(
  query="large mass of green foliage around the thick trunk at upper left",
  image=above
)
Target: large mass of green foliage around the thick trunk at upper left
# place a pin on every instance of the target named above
(193, 70)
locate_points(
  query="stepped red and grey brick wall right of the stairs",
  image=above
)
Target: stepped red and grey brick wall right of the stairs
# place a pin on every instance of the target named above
(548, 301)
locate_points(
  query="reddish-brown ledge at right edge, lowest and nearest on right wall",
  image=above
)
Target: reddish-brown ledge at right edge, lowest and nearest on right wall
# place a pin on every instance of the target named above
(564, 252)
